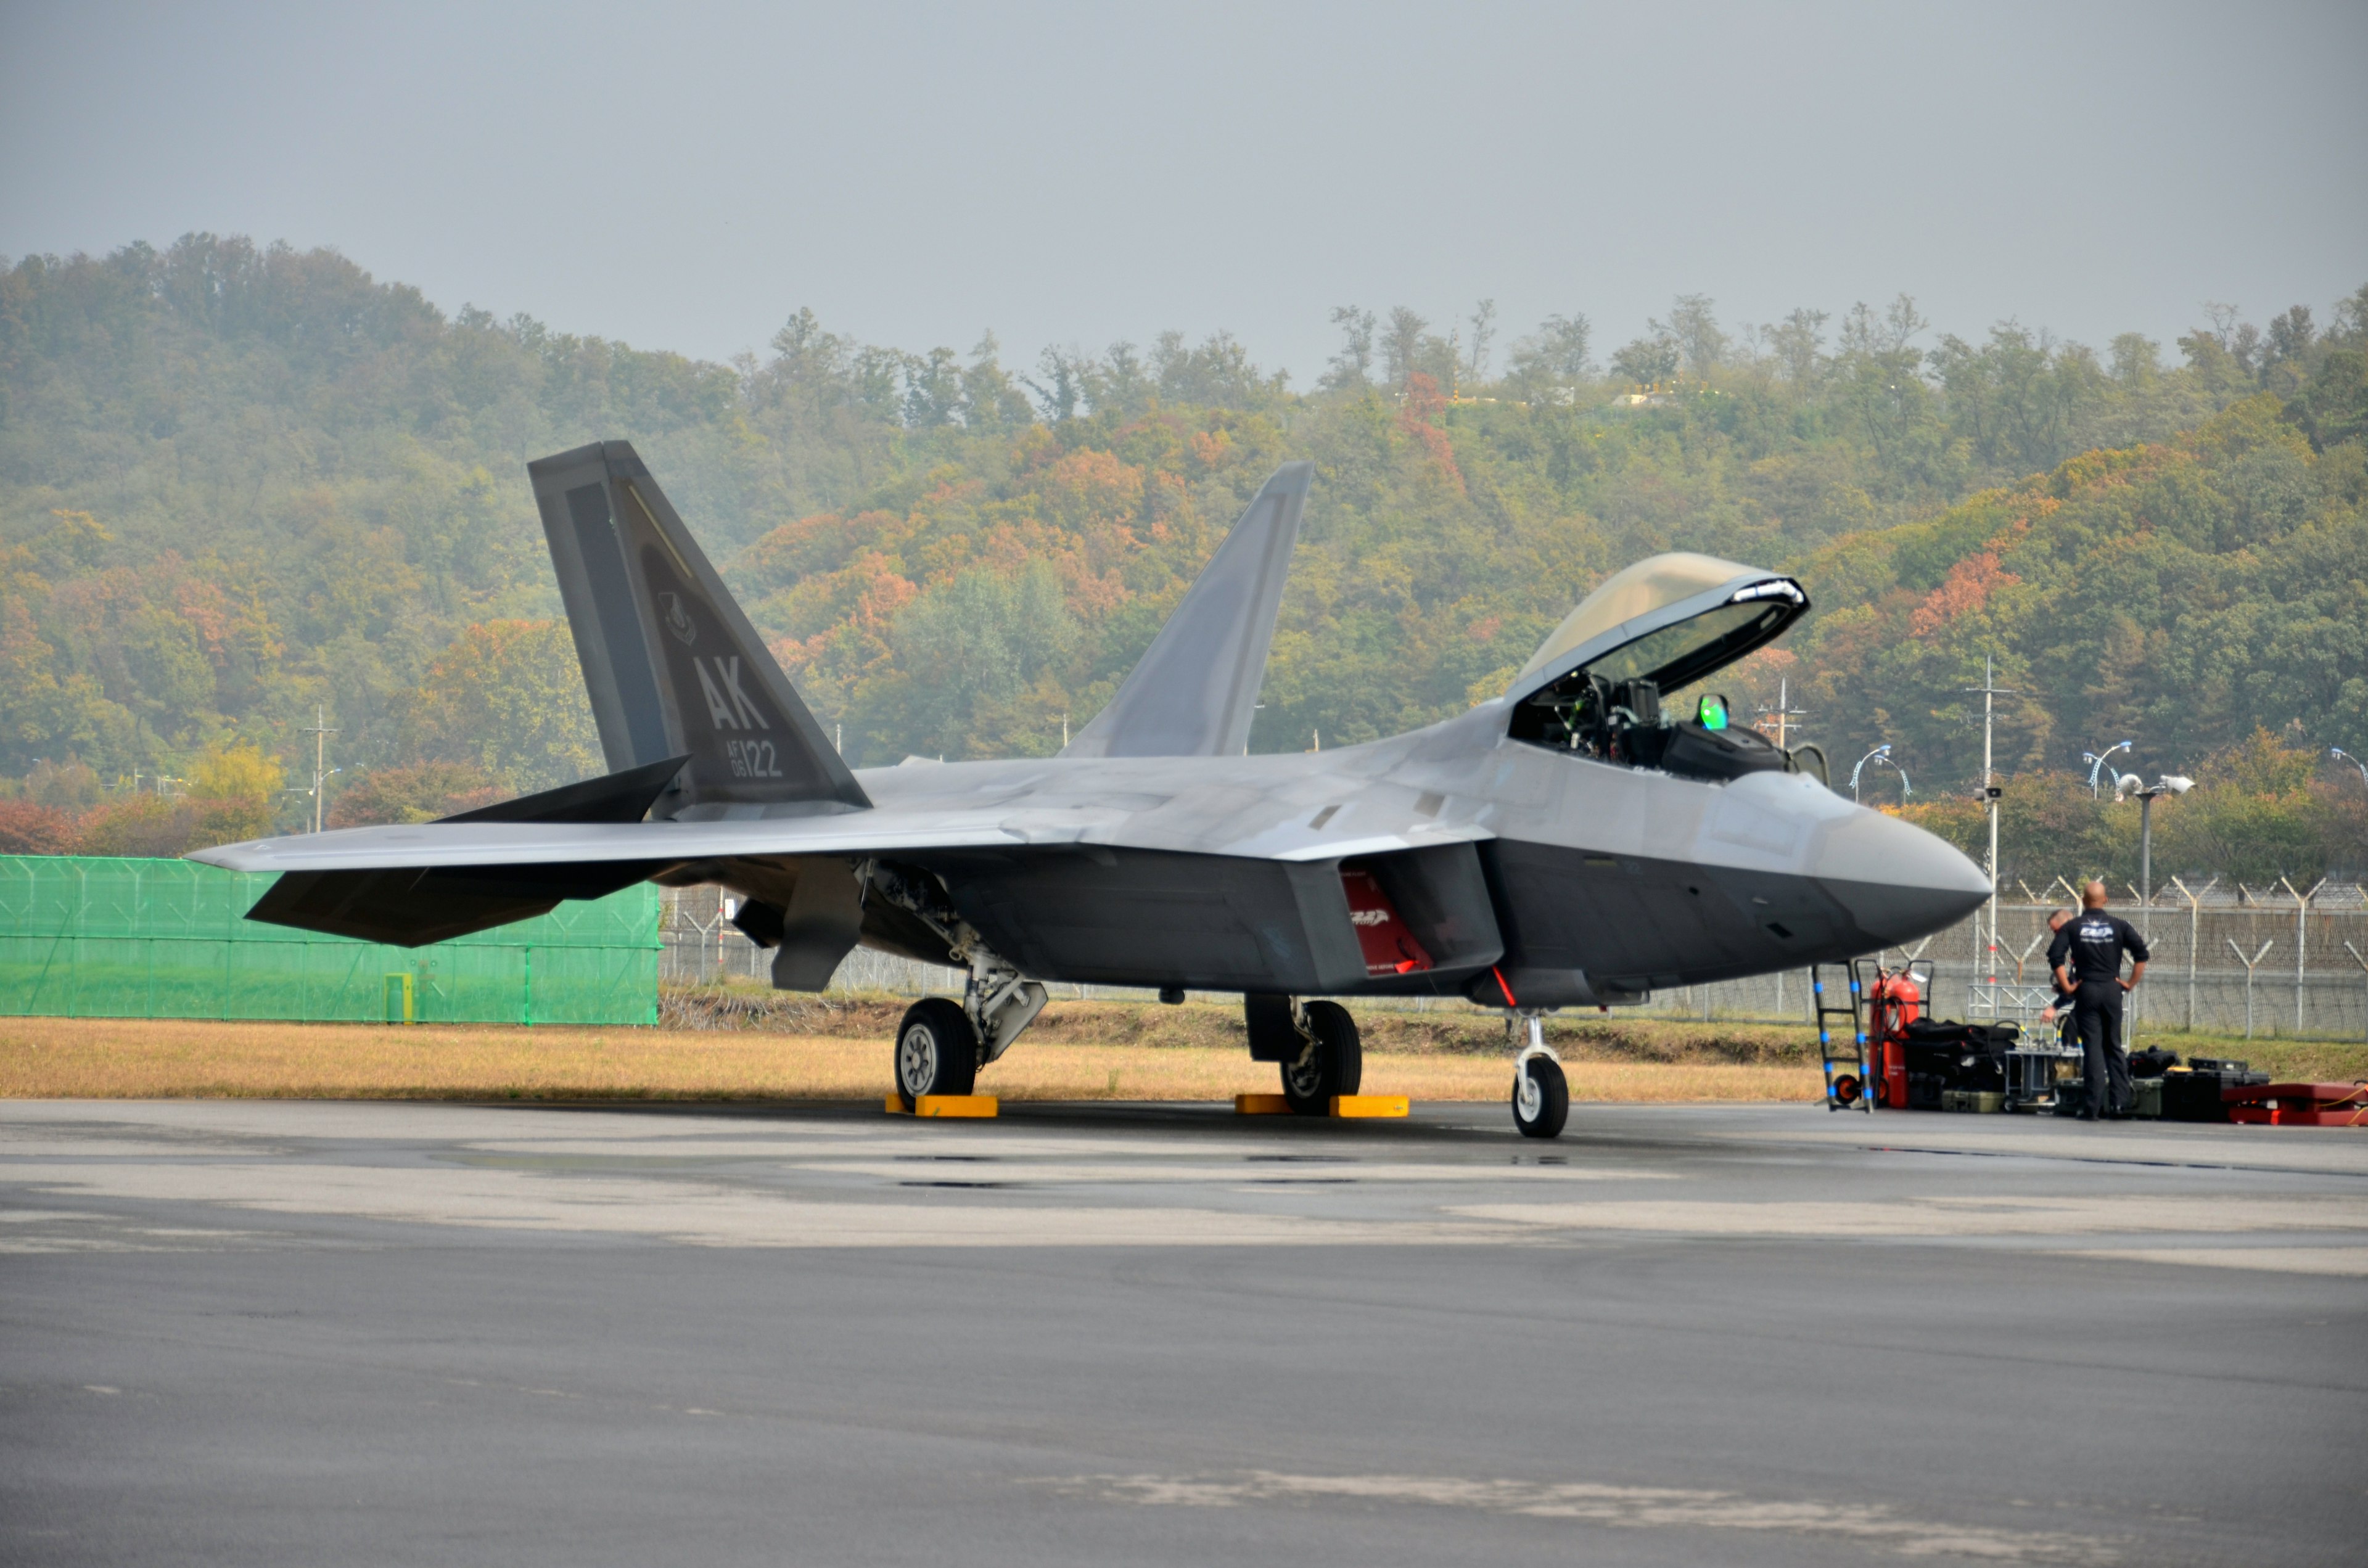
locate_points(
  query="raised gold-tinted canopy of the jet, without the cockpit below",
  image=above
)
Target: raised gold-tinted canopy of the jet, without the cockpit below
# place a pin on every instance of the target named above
(1671, 619)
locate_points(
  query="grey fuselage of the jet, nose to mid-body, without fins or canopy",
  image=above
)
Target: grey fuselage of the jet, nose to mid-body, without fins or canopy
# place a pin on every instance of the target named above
(1600, 880)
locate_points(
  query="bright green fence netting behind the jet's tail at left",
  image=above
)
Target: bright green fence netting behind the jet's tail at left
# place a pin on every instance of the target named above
(169, 939)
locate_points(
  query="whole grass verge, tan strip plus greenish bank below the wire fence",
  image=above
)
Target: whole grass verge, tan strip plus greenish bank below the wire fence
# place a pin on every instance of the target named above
(740, 1043)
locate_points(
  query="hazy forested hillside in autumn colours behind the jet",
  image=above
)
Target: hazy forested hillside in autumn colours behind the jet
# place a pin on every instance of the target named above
(243, 484)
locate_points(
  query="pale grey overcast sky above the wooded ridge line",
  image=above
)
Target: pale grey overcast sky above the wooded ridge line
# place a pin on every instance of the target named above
(1072, 174)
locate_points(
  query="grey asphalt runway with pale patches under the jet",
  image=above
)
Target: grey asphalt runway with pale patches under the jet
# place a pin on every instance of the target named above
(247, 1332)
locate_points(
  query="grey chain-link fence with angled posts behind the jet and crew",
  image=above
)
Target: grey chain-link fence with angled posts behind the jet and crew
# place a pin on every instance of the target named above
(2229, 960)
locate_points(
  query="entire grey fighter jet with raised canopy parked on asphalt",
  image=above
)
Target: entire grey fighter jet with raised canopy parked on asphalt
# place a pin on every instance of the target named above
(1576, 842)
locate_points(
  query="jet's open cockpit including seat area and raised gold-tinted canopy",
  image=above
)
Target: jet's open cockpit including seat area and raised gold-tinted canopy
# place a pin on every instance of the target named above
(1600, 686)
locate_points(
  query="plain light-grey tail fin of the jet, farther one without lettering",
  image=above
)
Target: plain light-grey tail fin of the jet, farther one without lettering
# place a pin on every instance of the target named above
(1197, 686)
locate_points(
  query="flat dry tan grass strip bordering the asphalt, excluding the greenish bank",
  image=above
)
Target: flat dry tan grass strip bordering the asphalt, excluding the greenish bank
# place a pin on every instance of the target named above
(198, 1060)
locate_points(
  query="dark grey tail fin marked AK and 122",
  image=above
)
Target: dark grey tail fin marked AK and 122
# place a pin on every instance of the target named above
(669, 660)
